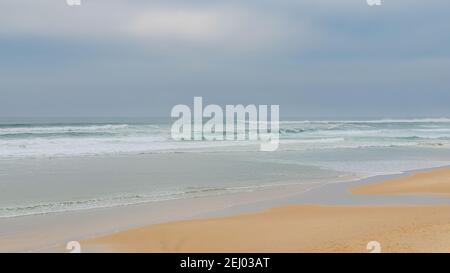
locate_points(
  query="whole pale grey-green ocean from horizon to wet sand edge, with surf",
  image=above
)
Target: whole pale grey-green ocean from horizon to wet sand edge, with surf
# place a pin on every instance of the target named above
(57, 165)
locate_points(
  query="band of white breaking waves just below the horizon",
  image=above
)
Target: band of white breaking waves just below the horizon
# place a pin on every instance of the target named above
(52, 140)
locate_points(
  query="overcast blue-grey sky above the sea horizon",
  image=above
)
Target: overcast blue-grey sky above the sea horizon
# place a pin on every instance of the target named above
(139, 58)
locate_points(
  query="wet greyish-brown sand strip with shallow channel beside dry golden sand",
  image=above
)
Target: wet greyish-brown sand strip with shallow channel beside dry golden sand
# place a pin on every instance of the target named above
(96, 223)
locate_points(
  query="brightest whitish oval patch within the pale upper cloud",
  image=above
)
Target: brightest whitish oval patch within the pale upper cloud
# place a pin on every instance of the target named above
(223, 27)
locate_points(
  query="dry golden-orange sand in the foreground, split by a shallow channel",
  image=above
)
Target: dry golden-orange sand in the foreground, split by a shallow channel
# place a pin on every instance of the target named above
(307, 228)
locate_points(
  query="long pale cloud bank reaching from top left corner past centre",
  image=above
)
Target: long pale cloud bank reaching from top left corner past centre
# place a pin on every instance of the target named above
(214, 24)
